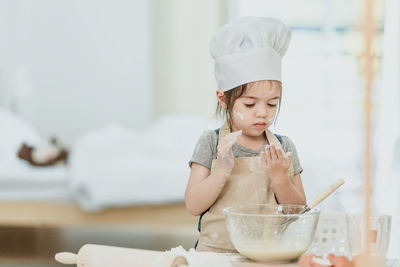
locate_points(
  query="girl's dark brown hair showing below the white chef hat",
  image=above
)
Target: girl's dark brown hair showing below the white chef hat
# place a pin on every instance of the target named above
(230, 98)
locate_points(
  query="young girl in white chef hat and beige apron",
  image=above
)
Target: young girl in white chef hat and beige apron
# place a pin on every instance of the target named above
(243, 162)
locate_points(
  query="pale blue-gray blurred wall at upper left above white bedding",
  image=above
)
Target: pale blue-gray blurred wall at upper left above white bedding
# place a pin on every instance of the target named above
(69, 66)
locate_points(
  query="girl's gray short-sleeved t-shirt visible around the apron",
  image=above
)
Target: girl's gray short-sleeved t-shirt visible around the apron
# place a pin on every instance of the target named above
(206, 150)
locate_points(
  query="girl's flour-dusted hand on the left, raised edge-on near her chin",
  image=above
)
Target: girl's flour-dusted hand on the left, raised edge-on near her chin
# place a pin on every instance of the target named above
(225, 154)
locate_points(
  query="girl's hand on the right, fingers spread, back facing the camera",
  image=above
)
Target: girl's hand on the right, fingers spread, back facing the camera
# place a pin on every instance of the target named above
(276, 161)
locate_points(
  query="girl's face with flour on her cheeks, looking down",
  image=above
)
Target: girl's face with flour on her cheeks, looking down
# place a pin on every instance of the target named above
(255, 110)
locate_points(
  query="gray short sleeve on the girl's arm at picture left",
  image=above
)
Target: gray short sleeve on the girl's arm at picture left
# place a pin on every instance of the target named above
(205, 150)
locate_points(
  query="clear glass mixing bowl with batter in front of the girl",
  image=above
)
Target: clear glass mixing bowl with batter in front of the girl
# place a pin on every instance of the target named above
(270, 232)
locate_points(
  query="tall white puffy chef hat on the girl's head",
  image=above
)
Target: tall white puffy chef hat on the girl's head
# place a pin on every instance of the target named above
(249, 49)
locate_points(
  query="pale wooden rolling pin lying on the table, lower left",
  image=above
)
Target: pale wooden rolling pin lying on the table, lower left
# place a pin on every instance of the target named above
(106, 256)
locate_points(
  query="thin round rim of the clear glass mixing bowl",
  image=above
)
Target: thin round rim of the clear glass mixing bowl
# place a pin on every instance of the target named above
(228, 210)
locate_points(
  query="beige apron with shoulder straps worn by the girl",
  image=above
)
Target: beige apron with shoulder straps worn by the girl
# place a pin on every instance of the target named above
(247, 184)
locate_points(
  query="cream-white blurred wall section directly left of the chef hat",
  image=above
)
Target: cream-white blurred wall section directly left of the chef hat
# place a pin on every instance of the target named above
(184, 79)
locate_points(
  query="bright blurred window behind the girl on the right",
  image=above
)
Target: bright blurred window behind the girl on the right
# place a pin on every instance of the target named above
(323, 89)
